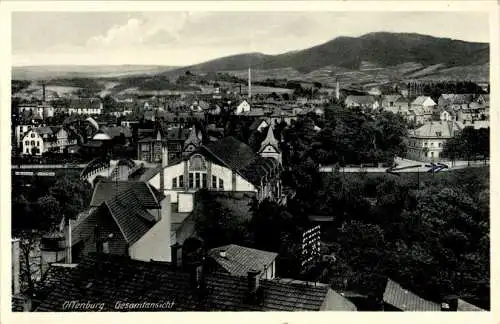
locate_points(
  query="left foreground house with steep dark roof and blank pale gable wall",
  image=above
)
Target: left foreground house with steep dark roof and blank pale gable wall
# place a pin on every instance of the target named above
(129, 218)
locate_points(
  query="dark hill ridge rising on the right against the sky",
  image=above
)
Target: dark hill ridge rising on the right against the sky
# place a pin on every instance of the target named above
(381, 48)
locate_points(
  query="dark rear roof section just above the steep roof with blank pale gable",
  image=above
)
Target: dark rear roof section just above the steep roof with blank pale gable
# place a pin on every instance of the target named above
(107, 189)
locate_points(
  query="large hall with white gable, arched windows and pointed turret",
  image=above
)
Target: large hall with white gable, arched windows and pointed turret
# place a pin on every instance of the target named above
(226, 165)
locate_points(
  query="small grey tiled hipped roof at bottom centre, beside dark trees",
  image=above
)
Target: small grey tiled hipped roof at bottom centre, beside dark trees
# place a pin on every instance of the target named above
(238, 260)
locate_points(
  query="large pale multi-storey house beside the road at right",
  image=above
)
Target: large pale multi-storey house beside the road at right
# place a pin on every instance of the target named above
(426, 143)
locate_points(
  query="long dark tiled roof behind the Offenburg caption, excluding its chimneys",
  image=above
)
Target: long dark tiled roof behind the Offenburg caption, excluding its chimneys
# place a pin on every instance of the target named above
(109, 278)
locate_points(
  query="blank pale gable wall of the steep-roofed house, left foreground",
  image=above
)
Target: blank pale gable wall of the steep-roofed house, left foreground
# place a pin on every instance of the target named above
(155, 244)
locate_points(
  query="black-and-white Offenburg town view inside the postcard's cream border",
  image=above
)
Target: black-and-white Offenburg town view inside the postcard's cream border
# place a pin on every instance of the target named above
(250, 160)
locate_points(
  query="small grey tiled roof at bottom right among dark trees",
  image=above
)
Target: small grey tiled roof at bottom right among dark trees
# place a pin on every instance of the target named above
(405, 300)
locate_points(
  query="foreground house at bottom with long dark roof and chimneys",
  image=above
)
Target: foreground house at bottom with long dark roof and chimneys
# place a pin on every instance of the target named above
(102, 279)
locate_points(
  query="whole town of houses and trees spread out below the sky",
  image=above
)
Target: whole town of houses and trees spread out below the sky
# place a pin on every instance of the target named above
(209, 190)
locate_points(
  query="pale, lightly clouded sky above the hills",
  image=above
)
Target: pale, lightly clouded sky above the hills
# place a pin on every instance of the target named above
(184, 38)
